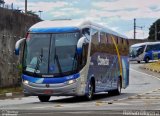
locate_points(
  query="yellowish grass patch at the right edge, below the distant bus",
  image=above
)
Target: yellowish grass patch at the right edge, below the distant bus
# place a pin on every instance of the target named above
(155, 66)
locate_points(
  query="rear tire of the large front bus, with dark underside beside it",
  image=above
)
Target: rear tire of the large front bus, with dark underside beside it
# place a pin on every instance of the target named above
(118, 90)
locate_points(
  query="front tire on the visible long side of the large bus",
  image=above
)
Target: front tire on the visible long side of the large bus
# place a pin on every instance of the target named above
(90, 93)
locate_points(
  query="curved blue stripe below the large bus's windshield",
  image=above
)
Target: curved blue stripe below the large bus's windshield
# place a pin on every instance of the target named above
(50, 80)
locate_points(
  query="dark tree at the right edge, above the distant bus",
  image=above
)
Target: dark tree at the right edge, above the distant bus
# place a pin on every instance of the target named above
(155, 28)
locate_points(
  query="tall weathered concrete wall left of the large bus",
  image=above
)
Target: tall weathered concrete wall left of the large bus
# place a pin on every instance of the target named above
(13, 26)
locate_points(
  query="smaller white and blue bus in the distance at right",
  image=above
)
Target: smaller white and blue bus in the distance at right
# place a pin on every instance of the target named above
(145, 51)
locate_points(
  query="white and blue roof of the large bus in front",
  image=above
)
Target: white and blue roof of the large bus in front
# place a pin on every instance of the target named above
(69, 26)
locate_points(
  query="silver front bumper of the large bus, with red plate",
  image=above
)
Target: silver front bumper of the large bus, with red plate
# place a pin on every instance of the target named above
(33, 89)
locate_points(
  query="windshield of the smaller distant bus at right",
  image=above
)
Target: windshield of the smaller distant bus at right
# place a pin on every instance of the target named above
(136, 51)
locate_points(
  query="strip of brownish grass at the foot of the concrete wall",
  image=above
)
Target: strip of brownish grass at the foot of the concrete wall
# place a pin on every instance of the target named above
(10, 89)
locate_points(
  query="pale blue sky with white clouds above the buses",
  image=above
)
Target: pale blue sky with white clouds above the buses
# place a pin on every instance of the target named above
(117, 15)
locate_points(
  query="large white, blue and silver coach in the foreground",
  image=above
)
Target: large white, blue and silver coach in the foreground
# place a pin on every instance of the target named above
(73, 58)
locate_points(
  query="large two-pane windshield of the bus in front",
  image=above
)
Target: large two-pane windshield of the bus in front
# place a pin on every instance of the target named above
(53, 54)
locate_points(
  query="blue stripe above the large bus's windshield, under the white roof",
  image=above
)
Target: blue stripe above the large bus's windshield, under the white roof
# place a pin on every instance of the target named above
(54, 30)
